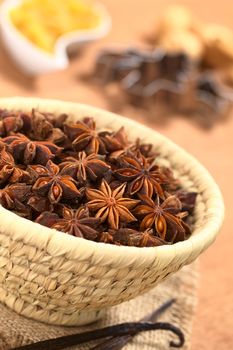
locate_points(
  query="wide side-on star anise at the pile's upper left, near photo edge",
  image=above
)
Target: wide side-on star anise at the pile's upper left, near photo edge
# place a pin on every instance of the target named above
(26, 151)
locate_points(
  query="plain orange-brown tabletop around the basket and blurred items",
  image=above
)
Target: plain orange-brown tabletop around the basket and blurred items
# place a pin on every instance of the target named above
(213, 326)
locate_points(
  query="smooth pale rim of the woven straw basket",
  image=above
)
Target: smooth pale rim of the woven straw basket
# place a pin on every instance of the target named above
(41, 236)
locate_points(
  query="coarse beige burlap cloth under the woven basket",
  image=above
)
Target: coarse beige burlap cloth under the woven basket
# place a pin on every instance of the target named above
(16, 330)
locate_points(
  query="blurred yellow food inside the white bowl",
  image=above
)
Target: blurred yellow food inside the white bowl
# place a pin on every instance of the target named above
(44, 21)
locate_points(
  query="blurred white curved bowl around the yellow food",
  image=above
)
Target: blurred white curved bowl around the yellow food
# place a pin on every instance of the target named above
(33, 60)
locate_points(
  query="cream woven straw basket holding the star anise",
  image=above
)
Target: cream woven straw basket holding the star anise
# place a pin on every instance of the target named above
(60, 279)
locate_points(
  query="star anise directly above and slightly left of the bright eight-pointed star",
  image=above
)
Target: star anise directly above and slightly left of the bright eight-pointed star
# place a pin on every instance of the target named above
(84, 167)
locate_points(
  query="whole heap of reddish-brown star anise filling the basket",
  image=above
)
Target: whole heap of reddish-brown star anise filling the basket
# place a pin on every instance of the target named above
(89, 183)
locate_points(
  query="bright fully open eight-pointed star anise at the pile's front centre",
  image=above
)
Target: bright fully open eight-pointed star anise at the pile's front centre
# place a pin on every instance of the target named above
(110, 204)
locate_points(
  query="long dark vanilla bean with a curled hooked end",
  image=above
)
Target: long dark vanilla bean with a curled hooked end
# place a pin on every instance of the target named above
(128, 328)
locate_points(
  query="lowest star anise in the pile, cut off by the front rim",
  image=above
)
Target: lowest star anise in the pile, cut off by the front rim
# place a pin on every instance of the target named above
(130, 237)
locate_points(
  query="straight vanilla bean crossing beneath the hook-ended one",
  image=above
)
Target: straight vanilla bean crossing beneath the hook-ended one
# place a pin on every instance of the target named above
(117, 343)
